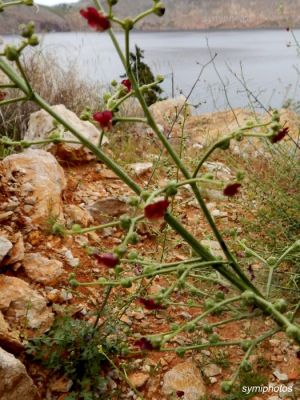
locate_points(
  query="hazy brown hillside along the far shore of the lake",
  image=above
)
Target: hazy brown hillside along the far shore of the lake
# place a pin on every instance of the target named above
(181, 14)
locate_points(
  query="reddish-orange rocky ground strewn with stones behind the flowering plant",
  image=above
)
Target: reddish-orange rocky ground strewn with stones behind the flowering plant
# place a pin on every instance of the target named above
(39, 189)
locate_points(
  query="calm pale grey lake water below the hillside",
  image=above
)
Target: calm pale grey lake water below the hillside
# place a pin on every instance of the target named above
(270, 65)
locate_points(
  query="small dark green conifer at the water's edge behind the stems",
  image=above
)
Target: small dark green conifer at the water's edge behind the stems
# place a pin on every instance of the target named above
(144, 76)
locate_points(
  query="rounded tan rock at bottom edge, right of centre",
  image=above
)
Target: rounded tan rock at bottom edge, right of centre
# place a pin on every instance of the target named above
(186, 378)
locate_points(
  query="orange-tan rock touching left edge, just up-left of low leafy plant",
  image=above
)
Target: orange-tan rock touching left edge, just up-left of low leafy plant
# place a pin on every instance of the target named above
(20, 304)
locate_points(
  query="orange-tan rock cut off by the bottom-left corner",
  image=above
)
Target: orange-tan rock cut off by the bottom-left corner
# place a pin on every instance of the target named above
(15, 383)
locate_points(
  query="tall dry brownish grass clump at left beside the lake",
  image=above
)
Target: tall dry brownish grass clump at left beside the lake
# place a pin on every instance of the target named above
(55, 84)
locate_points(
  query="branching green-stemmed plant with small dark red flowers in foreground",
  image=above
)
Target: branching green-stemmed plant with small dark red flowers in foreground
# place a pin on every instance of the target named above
(157, 206)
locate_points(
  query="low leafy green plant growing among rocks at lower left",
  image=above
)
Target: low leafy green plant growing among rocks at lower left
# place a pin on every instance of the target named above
(72, 348)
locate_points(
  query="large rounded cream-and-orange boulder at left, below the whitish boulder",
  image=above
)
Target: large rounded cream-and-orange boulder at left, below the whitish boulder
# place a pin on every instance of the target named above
(37, 174)
